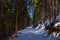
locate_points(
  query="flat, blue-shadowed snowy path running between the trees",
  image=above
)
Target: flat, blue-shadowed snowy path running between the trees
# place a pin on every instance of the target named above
(33, 34)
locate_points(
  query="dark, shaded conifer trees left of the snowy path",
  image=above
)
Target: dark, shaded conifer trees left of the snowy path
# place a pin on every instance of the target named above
(13, 17)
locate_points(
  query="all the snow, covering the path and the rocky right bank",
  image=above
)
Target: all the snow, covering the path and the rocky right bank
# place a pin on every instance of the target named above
(38, 33)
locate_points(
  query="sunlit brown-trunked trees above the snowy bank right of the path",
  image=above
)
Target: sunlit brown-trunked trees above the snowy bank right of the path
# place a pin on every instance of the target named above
(45, 9)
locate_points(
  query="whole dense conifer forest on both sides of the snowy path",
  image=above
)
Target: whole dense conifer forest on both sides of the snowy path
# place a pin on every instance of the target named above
(14, 14)
